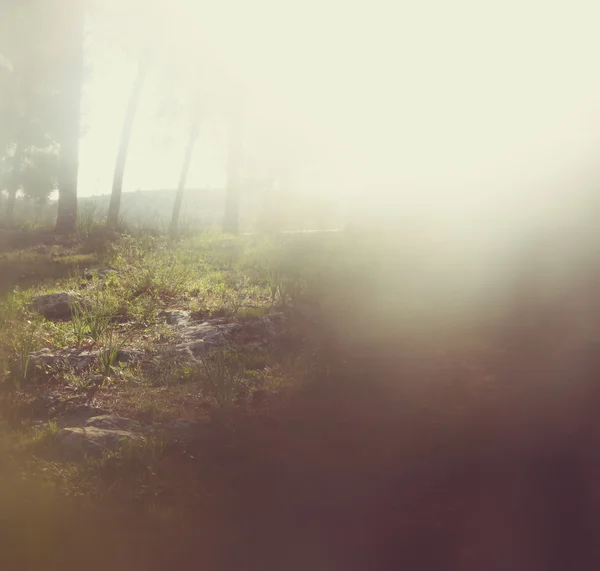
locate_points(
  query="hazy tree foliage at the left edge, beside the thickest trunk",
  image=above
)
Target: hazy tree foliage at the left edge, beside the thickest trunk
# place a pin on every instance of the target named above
(27, 103)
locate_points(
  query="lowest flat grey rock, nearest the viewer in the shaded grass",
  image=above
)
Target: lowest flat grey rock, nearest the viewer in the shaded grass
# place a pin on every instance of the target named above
(80, 442)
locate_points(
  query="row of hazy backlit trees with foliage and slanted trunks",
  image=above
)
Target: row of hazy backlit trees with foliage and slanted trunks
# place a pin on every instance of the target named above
(43, 70)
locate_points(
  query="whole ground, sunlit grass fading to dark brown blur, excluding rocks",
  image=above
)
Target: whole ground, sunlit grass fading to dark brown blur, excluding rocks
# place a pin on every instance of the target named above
(431, 406)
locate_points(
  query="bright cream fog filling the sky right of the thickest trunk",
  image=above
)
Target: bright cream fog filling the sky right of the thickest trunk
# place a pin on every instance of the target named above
(478, 116)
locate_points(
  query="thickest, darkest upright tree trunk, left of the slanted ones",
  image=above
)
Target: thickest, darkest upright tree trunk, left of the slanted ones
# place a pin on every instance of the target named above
(70, 111)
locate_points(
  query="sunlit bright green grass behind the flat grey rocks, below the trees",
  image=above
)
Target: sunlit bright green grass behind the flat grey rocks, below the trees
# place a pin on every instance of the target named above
(211, 275)
